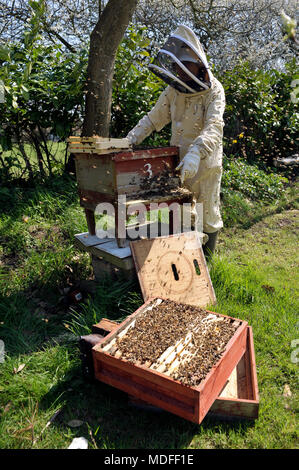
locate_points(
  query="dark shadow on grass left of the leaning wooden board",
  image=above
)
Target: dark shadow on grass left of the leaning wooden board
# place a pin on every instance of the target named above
(36, 317)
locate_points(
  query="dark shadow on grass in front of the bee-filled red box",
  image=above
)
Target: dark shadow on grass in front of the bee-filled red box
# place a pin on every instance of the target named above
(109, 421)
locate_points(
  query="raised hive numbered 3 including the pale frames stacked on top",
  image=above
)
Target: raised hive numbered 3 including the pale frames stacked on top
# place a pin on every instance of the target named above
(105, 171)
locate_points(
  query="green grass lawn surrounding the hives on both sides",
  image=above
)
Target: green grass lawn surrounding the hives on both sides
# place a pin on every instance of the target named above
(254, 277)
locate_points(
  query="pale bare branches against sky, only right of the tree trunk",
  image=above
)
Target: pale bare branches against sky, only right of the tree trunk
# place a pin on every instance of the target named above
(229, 30)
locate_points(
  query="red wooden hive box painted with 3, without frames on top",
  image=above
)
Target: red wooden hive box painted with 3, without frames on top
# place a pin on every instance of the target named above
(103, 177)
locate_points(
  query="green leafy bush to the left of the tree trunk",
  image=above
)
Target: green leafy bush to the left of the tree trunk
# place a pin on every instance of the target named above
(43, 95)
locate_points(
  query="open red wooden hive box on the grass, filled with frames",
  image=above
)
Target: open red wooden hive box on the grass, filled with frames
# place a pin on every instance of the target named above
(154, 382)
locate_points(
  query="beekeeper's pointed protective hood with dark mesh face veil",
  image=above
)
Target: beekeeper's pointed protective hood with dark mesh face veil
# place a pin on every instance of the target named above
(182, 63)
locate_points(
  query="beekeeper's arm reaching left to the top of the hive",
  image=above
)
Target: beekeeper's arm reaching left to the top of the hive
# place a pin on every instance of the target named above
(155, 120)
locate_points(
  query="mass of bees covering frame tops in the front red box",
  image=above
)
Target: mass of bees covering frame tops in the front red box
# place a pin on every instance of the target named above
(178, 340)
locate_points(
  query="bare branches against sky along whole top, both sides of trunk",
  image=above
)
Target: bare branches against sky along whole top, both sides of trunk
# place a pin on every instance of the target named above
(229, 29)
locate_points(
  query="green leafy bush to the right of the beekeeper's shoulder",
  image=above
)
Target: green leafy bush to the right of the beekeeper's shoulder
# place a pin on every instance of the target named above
(261, 119)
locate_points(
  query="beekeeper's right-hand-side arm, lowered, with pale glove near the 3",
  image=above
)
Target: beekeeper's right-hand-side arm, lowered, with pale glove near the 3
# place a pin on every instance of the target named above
(206, 144)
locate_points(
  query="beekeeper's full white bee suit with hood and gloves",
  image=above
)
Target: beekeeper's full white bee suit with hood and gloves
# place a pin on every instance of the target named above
(196, 128)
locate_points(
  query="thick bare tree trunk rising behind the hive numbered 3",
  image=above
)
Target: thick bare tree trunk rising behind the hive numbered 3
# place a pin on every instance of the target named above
(104, 41)
